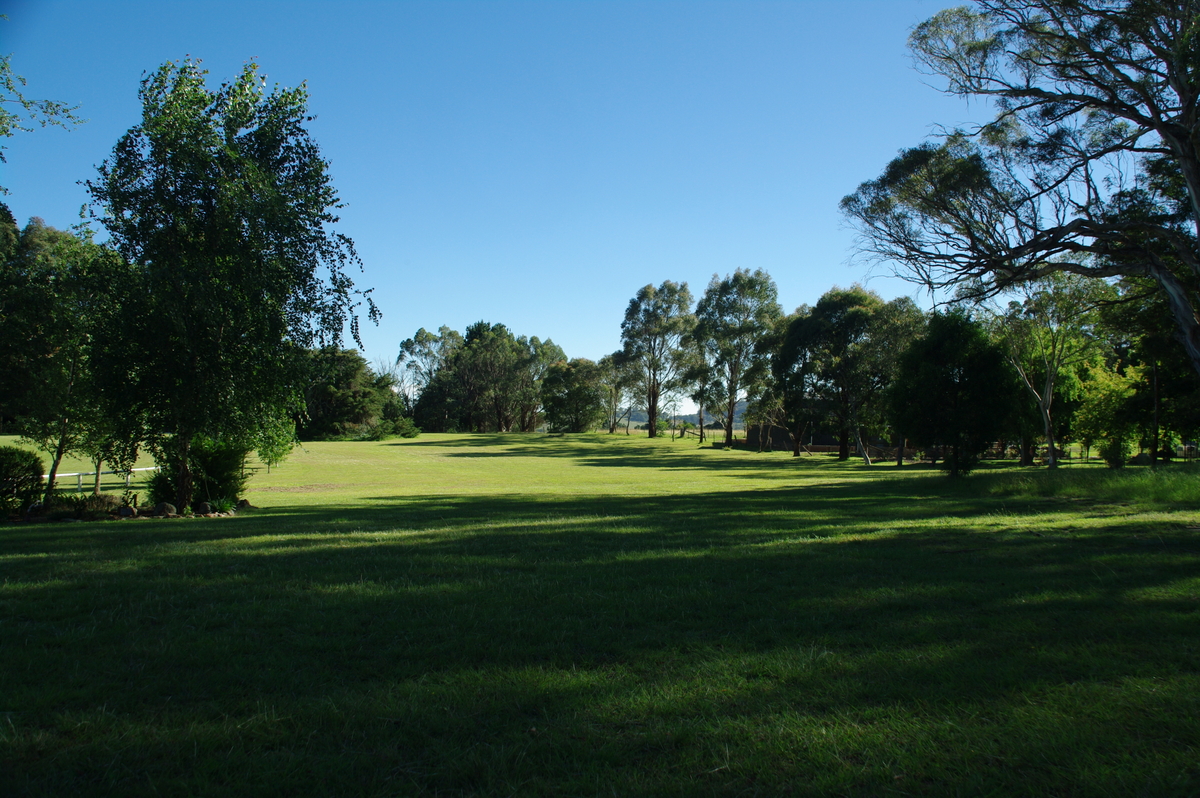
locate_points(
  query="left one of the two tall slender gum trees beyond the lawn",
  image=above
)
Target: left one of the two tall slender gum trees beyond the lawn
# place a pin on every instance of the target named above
(653, 332)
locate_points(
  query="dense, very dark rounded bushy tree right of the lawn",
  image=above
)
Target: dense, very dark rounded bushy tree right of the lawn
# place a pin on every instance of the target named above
(953, 389)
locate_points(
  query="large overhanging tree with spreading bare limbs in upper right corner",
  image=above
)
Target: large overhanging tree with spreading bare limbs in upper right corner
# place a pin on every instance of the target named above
(1084, 88)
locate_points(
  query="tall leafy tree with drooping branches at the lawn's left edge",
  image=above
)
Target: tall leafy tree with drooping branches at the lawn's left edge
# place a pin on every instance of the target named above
(224, 206)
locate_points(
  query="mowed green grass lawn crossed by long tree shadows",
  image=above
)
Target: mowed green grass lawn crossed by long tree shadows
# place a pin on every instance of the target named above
(595, 615)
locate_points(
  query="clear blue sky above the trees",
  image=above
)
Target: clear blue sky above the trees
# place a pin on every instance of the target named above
(531, 164)
